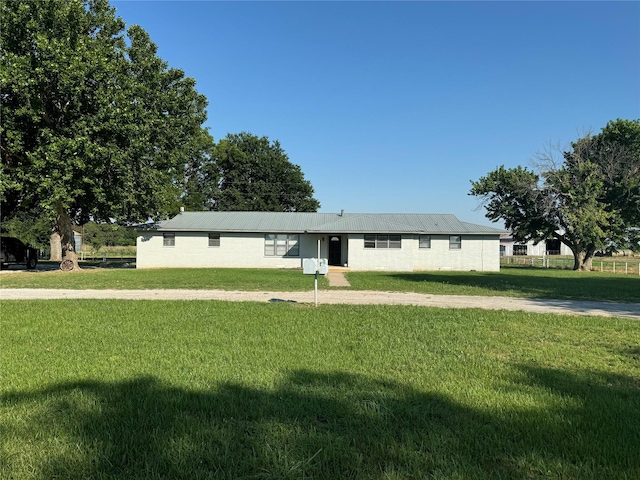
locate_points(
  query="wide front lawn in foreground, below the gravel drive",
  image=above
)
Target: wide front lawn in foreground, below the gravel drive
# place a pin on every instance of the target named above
(195, 390)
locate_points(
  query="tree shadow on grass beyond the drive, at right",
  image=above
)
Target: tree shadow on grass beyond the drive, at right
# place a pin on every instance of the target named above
(579, 286)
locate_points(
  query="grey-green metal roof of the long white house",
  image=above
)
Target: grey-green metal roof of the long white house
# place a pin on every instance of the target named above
(326, 223)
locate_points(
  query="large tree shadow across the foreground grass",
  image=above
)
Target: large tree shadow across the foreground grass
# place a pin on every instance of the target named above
(316, 425)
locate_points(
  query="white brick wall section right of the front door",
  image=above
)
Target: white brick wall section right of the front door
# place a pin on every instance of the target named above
(478, 252)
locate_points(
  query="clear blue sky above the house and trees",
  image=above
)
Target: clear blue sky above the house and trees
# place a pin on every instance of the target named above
(396, 106)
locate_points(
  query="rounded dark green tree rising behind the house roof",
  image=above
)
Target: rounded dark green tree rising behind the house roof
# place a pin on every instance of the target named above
(250, 173)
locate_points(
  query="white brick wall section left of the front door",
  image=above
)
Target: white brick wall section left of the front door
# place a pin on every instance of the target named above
(236, 250)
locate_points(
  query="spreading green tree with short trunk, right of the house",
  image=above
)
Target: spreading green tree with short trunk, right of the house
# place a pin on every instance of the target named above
(590, 200)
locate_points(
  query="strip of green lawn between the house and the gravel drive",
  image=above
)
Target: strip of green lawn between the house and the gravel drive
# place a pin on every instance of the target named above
(512, 282)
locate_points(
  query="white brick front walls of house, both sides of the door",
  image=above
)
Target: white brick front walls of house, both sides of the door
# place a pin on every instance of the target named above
(247, 250)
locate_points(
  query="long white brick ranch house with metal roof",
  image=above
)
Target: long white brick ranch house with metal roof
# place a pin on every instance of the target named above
(361, 241)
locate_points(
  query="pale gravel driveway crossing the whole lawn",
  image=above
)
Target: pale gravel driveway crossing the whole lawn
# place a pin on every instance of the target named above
(536, 305)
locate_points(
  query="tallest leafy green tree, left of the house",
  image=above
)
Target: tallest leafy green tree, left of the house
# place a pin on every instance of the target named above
(95, 125)
